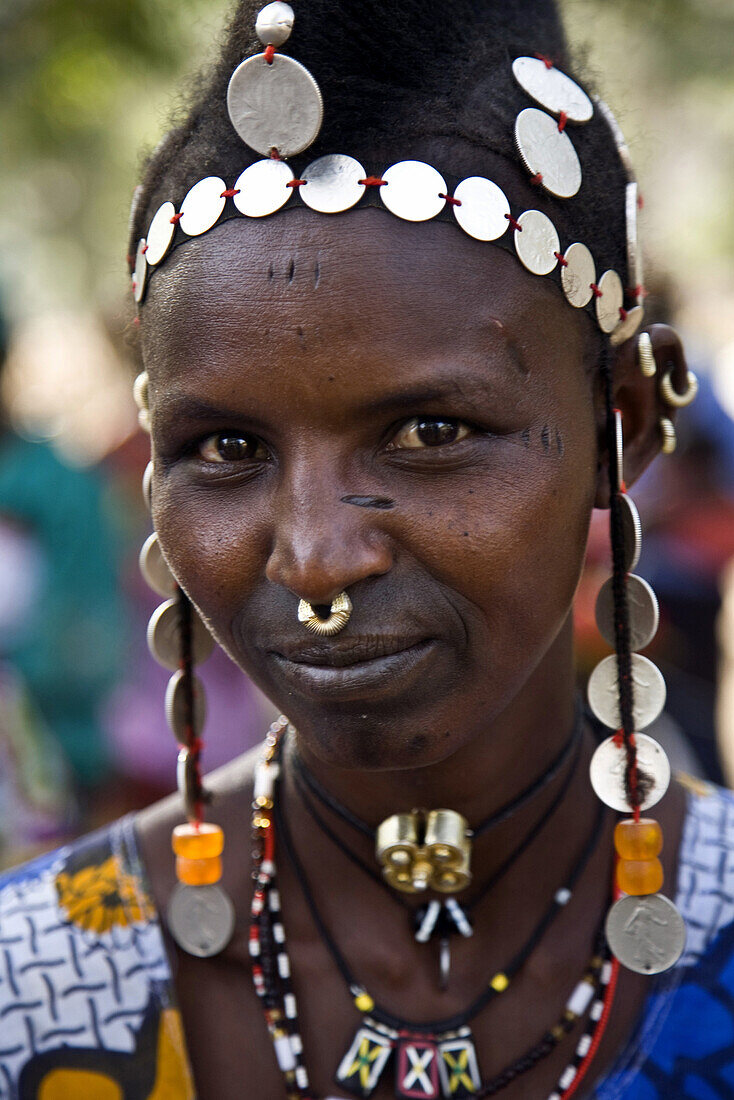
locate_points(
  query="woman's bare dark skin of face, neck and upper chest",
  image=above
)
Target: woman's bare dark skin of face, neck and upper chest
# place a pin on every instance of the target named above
(434, 373)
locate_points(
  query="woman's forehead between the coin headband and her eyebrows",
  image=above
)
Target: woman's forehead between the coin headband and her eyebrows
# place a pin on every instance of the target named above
(345, 290)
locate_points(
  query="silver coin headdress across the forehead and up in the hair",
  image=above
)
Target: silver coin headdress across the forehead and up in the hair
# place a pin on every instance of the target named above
(276, 106)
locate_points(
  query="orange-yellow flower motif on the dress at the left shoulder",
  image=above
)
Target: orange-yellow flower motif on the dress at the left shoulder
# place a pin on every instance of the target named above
(100, 897)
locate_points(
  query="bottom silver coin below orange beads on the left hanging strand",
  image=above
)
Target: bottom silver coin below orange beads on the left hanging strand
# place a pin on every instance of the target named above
(201, 919)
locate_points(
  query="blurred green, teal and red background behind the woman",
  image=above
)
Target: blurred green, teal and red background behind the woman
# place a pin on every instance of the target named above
(89, 87)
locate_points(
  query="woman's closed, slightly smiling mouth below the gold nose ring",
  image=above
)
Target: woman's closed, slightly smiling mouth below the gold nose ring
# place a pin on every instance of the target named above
(355, 667)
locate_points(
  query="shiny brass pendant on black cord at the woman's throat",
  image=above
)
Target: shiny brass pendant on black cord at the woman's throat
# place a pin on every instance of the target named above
(425, 851)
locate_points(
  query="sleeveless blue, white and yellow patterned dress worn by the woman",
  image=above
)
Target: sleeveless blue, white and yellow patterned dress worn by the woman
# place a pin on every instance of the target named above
(89, 1011)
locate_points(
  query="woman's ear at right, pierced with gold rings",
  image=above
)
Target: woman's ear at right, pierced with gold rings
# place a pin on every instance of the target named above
(641, 403)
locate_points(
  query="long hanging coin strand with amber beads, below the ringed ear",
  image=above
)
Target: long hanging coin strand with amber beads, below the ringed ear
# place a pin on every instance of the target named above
(630, 772)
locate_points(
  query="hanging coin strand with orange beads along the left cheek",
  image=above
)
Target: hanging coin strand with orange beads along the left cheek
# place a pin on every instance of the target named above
(201, 917)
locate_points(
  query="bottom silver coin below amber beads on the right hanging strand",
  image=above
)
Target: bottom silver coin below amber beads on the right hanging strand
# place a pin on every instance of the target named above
(647, 934)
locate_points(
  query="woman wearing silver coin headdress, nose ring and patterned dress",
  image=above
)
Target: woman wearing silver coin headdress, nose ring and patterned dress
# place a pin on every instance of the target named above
(377, 445)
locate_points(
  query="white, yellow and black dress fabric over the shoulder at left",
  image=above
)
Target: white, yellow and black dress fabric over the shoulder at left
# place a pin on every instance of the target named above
(85, 984)
